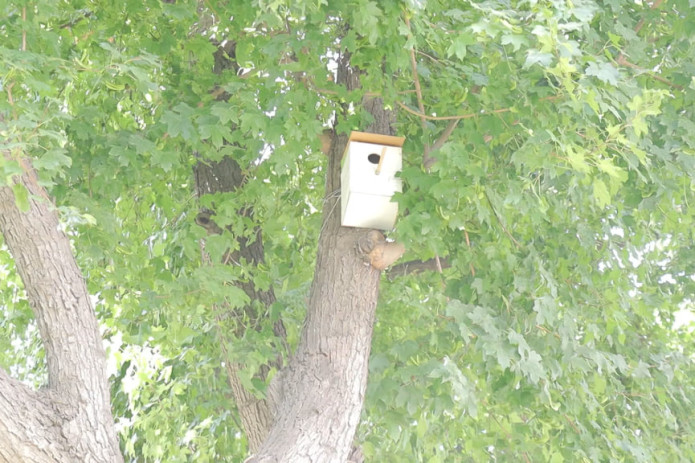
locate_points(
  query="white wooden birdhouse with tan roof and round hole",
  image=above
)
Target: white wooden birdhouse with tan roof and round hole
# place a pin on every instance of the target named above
(368, 180)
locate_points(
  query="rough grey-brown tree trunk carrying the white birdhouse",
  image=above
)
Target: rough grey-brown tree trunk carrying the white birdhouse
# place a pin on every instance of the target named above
(323, 387)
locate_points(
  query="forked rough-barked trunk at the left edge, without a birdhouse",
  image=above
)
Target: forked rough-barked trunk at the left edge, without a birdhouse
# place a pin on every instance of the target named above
(70, 420)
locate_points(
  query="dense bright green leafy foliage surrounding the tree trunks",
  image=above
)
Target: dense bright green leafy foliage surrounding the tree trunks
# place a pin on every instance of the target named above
(560, 202)
